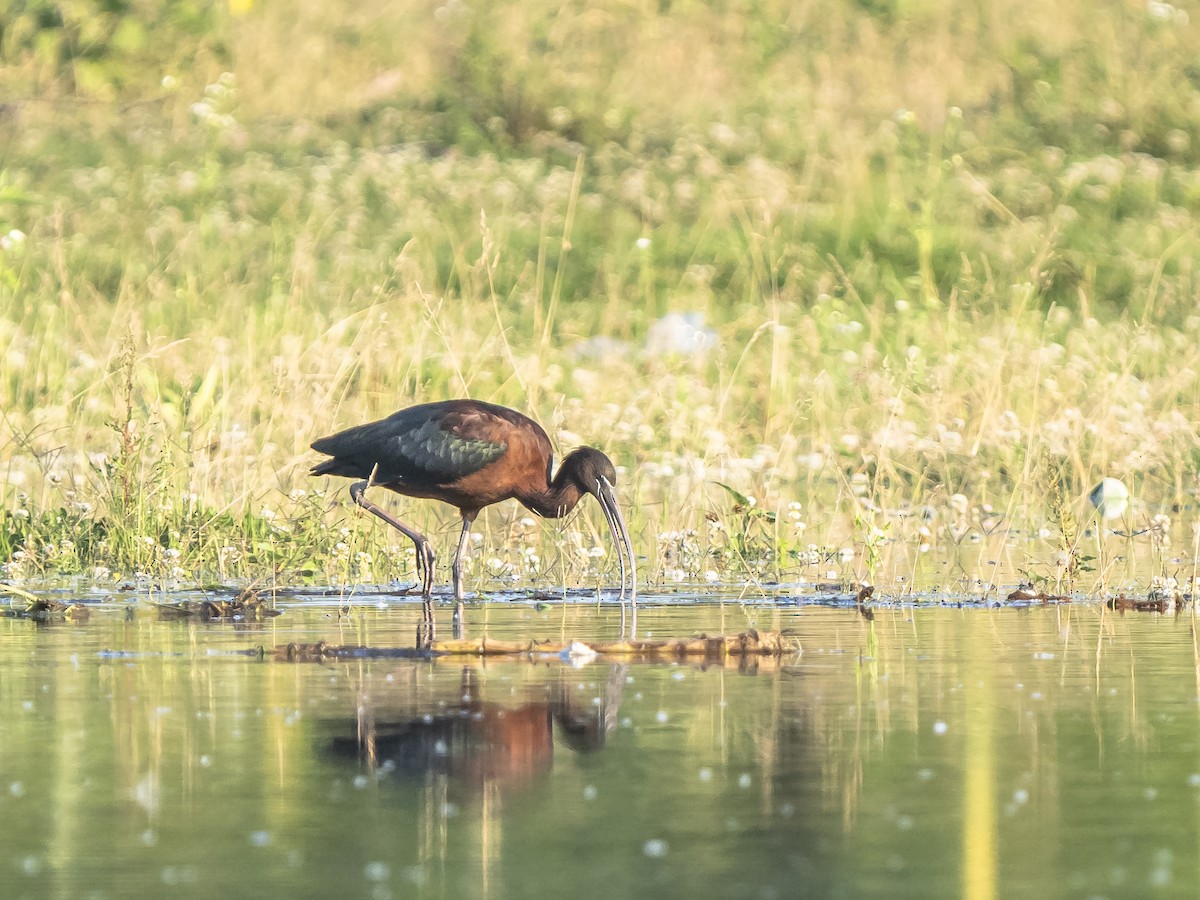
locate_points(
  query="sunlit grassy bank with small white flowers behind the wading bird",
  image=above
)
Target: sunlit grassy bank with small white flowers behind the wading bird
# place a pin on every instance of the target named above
(920, 287)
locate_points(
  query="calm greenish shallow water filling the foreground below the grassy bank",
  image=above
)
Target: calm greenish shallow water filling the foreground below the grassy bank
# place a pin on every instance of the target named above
(935, 752)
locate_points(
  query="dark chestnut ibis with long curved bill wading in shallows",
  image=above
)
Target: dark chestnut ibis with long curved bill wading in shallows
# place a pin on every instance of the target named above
(471, 455)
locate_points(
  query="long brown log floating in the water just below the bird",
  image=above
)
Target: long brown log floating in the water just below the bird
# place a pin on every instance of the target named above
(748, 644)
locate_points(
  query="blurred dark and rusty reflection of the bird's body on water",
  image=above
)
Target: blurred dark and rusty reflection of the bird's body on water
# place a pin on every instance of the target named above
(478, 743)
